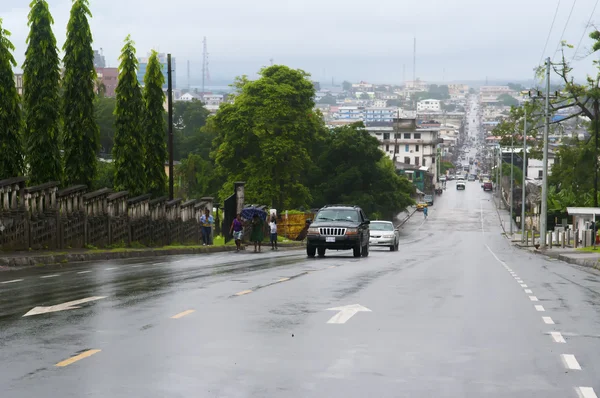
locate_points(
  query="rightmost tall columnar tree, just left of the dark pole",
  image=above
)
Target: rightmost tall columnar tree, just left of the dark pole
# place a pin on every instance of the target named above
(155, 148)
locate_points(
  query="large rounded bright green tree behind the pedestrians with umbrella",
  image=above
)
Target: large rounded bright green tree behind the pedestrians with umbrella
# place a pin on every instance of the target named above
(267, 135)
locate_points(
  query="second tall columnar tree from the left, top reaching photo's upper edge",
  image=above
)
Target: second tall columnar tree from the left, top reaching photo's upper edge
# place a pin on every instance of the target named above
(41, 75)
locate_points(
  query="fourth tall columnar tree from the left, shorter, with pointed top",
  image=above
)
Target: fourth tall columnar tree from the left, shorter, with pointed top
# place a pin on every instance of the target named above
(128, 149)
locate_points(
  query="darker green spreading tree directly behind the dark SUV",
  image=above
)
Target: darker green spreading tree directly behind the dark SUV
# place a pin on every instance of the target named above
(352, 169)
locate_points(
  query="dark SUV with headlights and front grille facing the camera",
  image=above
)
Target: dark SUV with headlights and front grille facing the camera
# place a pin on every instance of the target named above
(338, 227)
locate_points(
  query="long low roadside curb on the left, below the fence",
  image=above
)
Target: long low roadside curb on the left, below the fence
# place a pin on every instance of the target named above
(66, 257)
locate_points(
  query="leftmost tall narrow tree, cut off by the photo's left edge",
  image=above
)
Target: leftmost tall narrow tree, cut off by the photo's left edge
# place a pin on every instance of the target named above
(11, 149)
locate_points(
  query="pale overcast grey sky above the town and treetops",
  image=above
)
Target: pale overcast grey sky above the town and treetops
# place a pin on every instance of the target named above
(344, 39)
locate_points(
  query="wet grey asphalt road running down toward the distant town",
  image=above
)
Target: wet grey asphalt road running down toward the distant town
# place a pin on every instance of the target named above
(456, 312)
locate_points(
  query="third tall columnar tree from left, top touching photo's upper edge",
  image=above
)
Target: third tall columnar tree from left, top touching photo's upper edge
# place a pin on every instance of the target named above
(81, 132)
